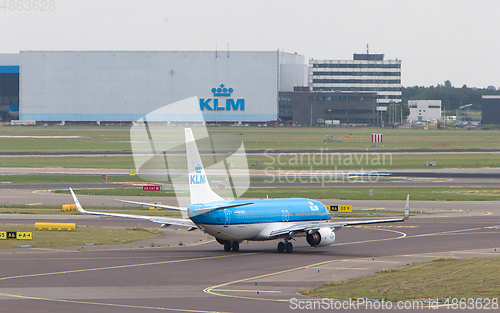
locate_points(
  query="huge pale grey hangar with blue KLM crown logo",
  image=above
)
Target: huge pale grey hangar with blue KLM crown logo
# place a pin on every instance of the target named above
(118, 86)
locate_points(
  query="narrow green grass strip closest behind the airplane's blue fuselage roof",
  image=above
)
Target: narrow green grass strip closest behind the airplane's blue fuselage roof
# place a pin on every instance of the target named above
(379, 193)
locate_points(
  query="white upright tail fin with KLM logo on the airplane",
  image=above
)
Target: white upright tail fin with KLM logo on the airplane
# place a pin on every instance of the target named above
(199, 189)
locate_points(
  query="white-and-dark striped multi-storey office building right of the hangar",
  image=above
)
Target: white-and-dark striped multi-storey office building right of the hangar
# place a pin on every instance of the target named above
(365, 73)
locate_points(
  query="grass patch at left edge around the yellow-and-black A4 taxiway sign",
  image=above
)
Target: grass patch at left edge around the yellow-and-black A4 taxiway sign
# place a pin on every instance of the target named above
(81, 237)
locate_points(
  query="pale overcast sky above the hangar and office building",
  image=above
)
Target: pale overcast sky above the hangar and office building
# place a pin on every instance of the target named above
(436, 40)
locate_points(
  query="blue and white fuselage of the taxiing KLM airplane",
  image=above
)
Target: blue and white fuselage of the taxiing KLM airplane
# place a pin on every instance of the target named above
(257, 220)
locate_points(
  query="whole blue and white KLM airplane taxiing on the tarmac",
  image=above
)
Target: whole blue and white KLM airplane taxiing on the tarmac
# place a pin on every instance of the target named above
(232, 222)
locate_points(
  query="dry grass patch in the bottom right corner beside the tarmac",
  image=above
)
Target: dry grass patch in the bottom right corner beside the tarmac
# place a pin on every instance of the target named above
(467, 278)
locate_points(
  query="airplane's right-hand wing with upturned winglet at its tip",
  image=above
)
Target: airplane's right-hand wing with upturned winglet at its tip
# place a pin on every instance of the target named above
(315, 226)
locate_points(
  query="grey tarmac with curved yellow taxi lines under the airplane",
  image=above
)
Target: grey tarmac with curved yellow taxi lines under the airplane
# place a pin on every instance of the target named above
(200, 277)
